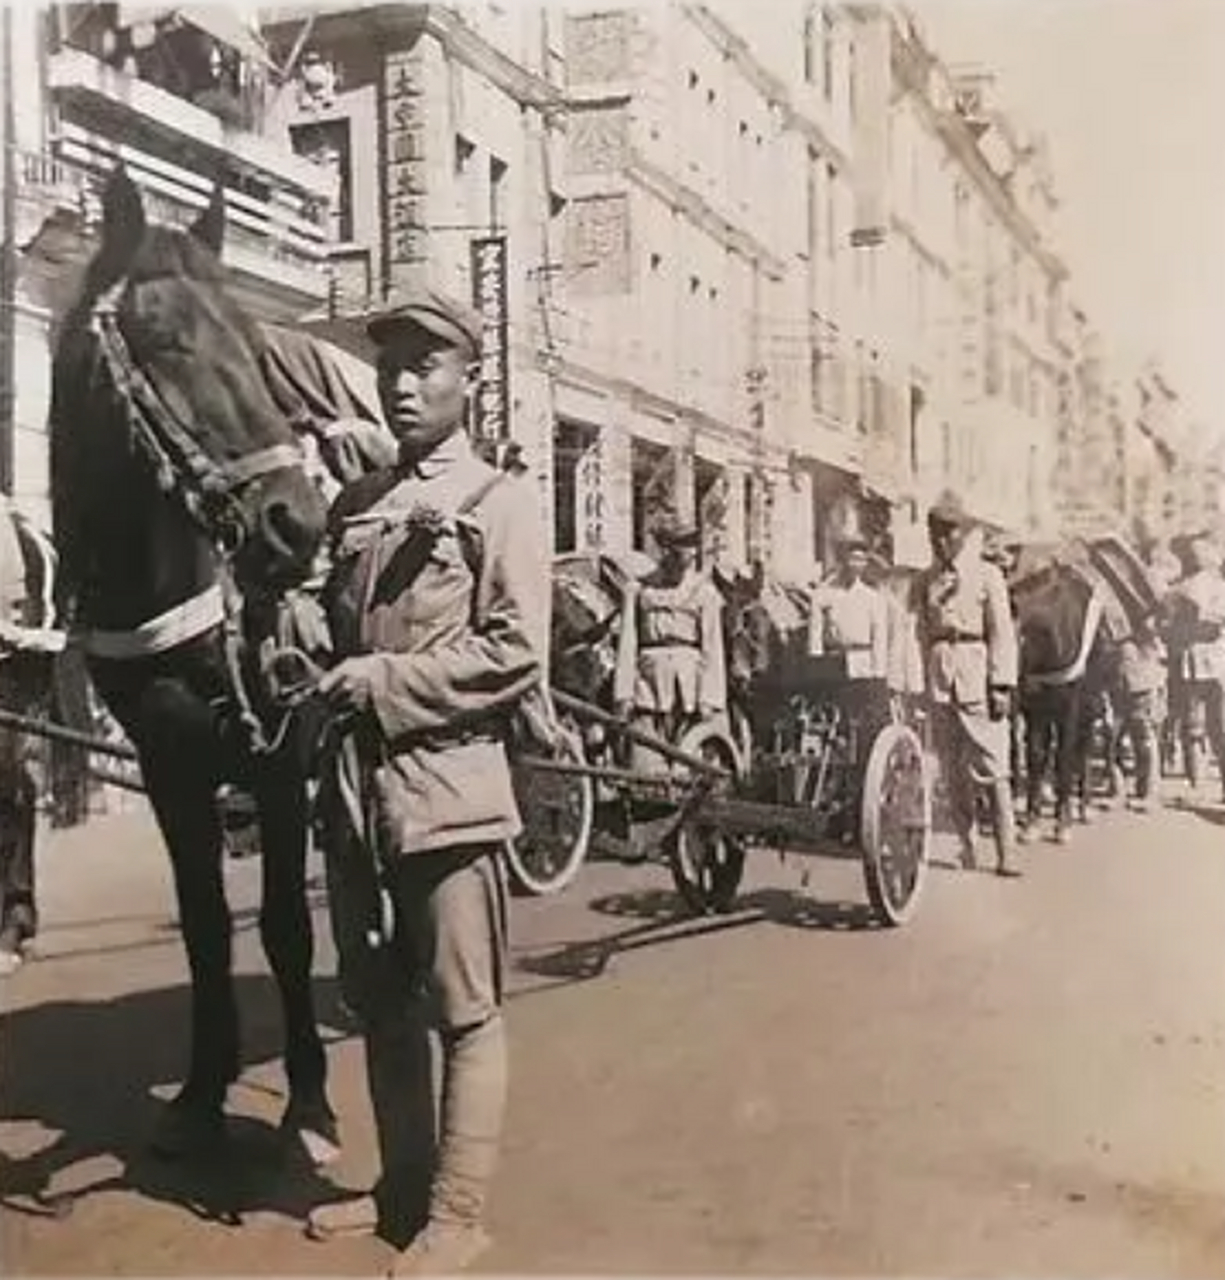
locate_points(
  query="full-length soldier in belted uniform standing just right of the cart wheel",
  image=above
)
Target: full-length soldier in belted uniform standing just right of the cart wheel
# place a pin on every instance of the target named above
(970, 647)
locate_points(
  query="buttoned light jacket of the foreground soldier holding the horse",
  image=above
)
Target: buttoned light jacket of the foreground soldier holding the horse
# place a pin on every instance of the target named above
(455, 610)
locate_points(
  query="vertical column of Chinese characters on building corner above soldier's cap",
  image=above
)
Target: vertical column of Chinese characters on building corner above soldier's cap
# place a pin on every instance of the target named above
(405, 186)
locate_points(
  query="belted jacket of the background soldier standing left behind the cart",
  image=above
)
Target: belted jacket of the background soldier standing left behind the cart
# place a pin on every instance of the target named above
(671, 650)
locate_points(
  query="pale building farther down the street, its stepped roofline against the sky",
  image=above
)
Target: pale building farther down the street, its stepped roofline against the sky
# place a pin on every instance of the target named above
(966, 294)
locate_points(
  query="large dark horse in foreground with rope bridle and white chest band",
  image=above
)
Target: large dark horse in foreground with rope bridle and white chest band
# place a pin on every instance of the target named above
(177, 484)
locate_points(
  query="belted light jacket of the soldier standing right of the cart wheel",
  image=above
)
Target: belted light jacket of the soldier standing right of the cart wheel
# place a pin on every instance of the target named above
(966, 630)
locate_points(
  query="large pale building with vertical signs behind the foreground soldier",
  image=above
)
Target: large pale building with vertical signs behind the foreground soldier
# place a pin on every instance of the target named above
(675, 191)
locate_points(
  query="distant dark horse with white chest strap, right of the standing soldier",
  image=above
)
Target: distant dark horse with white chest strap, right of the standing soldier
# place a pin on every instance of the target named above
(1075, 606)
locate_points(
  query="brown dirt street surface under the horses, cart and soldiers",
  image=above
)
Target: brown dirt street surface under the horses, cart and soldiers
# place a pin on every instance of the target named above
(1029, 1080)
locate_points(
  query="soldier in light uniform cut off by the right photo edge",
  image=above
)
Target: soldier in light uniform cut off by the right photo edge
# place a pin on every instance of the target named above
(1196, 633)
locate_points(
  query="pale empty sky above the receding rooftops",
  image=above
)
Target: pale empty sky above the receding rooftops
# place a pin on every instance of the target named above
(1132, 98)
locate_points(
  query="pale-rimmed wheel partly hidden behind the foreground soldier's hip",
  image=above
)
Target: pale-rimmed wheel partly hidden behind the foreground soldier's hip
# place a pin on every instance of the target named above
(559, 811)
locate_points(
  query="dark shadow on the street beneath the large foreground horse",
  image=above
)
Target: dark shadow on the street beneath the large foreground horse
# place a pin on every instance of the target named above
(85, 1071)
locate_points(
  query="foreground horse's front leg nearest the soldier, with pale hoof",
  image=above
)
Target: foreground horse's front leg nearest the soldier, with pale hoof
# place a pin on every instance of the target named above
(290, 945)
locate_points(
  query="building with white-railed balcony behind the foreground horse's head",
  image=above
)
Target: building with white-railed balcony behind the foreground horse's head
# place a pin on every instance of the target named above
(180, 98)
